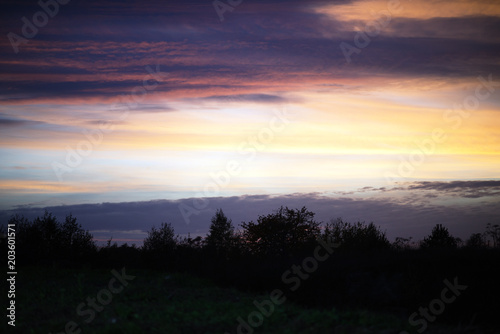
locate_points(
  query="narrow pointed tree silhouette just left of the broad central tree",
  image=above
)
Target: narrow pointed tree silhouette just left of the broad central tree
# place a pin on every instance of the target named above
(220, 237)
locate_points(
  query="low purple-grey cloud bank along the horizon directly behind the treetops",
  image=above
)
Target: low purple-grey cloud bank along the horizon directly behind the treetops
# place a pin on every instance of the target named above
(399, 218)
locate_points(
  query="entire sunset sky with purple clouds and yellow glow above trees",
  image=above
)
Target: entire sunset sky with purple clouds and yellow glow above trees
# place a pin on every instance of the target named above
(133, 113)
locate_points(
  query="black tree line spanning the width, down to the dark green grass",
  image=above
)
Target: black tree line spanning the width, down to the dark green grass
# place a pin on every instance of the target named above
(366, 269)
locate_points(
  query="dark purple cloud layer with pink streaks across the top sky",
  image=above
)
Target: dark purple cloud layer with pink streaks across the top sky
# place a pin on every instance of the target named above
(90, 47)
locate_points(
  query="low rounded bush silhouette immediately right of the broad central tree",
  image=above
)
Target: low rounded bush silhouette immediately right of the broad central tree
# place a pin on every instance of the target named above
(356, 236)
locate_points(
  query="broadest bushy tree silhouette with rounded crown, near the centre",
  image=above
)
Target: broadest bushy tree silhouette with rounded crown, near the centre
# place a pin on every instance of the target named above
(281, 233)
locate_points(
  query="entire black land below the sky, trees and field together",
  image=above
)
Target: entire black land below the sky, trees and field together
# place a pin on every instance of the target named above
(283, 274)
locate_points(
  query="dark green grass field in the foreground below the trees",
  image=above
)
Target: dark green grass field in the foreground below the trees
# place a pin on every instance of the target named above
(158, 302)
